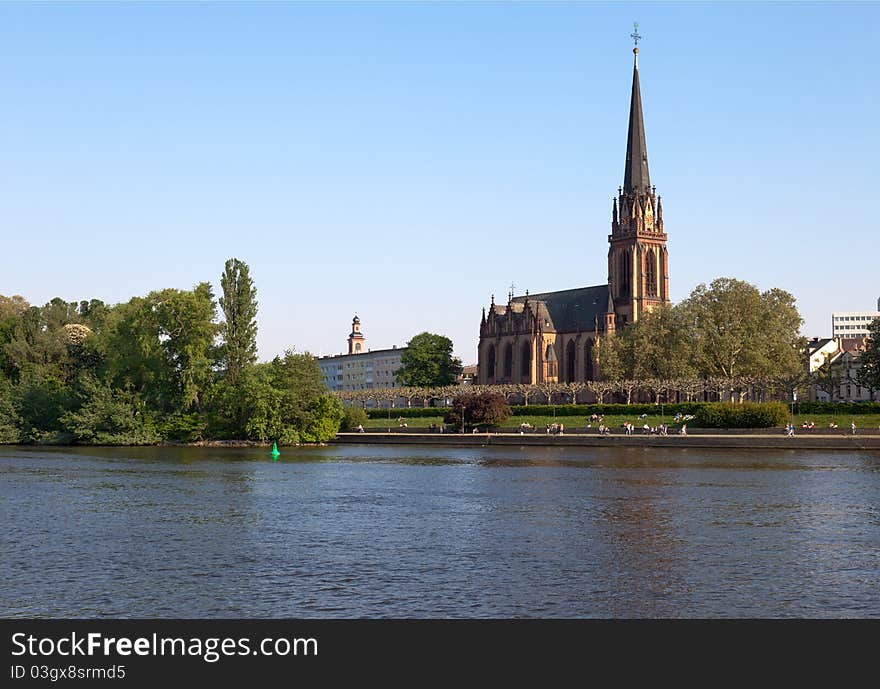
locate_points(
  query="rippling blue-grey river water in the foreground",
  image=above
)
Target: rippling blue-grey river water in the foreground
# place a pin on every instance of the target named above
(409, 531)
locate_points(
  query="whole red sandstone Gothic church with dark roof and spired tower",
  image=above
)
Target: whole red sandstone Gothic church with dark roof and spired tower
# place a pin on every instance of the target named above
(549, 337)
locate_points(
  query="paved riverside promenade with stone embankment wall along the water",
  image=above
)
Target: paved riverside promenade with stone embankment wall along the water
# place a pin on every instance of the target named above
(763, 439)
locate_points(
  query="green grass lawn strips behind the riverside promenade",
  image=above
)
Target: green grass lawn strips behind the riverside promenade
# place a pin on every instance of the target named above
(574, 424)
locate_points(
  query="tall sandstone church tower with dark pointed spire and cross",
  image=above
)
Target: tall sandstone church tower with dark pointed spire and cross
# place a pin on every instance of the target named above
(638, 265)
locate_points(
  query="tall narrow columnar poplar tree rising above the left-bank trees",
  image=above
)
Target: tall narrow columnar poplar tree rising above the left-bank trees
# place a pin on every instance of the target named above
(239, 328)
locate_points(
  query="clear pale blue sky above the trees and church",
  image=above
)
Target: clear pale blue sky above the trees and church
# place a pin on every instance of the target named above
(405, 161)
